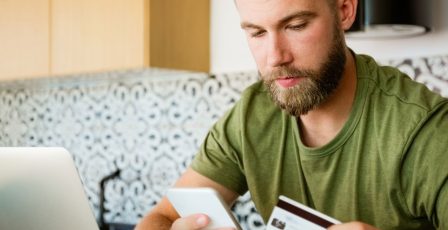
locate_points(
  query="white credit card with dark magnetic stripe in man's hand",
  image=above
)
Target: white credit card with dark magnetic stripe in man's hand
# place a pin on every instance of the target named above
(289, 214)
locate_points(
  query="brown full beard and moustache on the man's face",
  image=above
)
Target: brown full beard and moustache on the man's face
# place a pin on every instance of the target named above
(314, 87)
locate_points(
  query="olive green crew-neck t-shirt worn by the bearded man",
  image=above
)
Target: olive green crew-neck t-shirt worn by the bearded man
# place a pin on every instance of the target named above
(387, 167)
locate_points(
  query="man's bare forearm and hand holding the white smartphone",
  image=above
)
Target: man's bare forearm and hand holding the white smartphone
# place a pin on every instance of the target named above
(163, 215)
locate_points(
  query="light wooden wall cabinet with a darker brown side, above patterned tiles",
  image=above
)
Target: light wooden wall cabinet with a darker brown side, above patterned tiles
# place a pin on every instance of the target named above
(59, 37)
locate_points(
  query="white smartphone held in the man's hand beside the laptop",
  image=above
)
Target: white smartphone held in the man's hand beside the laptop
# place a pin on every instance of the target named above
(188, 201)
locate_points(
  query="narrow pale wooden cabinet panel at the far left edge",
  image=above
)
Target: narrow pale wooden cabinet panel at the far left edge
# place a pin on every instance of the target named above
(24, 38)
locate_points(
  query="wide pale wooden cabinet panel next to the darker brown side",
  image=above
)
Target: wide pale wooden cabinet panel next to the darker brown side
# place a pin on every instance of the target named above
(98, 35)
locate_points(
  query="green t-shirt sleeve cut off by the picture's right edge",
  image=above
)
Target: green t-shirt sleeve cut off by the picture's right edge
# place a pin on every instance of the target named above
(425, 170)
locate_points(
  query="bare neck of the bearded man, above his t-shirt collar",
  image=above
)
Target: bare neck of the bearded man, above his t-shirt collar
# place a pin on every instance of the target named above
(321, 125)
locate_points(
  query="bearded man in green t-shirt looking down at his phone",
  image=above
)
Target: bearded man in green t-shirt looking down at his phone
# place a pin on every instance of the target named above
(326, 127)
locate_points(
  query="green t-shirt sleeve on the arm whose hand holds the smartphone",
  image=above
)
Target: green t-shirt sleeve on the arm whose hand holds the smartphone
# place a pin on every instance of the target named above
(218, 157)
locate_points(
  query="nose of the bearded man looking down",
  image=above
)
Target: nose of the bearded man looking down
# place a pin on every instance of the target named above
(279, 53)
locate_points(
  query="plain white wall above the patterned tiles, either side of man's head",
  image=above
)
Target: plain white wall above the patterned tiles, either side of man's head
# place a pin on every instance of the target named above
(229, 51)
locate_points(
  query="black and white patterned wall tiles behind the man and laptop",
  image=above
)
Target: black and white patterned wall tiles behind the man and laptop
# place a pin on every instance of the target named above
(148, 123)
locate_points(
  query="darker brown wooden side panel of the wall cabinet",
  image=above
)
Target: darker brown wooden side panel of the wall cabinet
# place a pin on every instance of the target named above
(179, 34)
